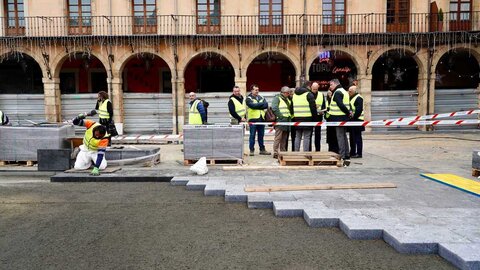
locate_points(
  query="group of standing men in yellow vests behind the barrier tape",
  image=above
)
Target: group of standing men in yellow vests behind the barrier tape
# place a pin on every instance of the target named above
(301, 104)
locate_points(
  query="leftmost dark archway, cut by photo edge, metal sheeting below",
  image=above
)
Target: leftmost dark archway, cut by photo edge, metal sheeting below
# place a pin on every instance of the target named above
(21, 89)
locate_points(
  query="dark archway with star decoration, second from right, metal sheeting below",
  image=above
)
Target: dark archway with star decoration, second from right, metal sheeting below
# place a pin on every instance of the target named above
(394, 86)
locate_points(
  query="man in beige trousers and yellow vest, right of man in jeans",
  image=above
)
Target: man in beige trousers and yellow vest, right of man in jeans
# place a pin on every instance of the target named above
(282, 108)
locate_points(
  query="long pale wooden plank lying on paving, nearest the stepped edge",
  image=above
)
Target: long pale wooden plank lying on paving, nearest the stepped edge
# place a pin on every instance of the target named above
(319, 187)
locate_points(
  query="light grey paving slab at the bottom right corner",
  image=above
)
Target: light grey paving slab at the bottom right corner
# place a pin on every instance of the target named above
(463, 256)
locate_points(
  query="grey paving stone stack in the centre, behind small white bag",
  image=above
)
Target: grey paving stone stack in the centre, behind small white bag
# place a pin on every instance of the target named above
(213, 142)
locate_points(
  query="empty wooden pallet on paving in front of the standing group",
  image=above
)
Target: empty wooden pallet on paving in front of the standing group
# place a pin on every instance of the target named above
(309, 158)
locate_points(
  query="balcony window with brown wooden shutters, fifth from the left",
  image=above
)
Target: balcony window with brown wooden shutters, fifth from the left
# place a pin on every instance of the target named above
(270, 16)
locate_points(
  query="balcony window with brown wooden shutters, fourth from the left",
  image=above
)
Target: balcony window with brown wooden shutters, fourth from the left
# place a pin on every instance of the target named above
(208, 16)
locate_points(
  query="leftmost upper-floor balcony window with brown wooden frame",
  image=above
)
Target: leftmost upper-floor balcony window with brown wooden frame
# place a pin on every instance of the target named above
(14, 13)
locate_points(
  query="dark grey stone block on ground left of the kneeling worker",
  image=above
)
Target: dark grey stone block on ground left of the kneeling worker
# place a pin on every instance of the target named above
(54, 159)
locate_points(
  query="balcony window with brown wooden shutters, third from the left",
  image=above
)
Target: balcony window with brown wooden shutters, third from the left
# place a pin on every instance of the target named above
(144, 16)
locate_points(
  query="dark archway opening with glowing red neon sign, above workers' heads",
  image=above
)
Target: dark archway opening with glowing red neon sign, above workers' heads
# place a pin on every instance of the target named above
(332, 65)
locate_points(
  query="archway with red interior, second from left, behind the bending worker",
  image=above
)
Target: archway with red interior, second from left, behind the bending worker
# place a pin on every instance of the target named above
(82, 76)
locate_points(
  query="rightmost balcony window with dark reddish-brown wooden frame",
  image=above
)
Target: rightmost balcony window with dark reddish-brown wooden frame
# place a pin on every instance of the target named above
(460, 15)
